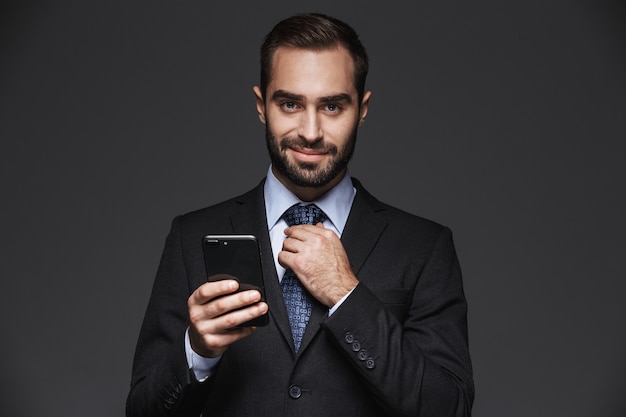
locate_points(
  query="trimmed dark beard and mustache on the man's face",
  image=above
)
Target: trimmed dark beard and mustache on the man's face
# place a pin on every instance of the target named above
(309, 174)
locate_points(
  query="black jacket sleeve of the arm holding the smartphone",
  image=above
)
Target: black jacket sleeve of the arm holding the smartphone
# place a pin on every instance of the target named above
(161, 383)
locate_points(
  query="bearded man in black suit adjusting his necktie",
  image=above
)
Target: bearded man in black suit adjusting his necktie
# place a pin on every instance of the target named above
(387, 331)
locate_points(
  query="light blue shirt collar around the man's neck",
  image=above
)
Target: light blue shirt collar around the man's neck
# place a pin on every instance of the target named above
(336, 203)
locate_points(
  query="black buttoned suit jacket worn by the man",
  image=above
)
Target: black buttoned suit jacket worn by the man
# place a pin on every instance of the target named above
(396, 347)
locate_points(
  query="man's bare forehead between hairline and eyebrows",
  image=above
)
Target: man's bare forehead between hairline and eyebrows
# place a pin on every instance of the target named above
(312, 72)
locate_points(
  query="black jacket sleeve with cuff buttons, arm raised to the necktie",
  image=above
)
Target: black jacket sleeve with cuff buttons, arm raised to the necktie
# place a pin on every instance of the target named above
(419, 366)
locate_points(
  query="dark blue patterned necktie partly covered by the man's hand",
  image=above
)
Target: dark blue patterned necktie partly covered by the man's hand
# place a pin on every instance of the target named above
(297, 299)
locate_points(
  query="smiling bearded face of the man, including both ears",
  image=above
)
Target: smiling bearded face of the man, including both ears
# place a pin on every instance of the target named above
(312, 113)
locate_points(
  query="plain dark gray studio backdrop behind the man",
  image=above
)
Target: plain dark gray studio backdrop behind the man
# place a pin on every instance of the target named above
(504, 120)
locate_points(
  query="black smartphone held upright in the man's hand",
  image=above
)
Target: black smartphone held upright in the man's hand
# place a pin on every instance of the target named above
(240, 257)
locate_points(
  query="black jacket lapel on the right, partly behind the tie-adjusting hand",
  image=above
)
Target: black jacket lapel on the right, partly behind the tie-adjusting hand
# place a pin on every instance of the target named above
(363, 229)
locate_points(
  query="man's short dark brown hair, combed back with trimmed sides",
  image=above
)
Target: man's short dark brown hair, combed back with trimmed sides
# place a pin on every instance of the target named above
(314, 31)
